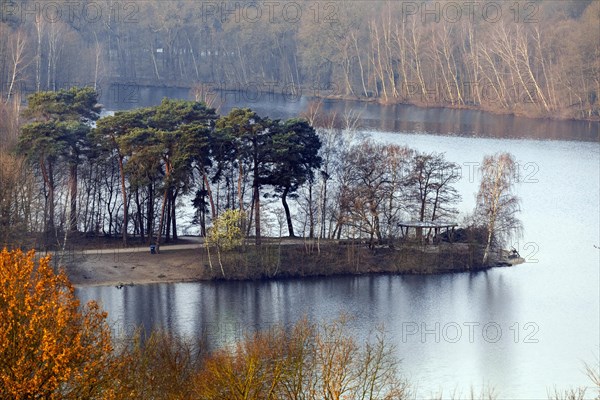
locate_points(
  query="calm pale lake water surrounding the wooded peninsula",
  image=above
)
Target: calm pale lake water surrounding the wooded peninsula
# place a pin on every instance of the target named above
(522, 330)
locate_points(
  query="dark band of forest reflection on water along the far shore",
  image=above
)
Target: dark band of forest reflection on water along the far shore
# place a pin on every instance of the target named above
(373, 116)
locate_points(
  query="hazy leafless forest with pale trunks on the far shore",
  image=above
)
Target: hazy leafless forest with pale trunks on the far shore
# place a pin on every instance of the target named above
(535, 58)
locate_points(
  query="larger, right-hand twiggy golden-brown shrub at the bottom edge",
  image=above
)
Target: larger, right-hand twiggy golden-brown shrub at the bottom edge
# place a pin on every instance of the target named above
(306, 362)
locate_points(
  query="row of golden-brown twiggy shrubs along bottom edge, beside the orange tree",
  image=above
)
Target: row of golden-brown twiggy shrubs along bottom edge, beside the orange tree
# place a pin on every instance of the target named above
(307, 361)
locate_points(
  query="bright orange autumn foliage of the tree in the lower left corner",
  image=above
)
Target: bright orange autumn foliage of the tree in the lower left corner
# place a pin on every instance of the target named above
(49, 346)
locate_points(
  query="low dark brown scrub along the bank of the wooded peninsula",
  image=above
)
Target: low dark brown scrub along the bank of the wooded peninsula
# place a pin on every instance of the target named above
(299, 260)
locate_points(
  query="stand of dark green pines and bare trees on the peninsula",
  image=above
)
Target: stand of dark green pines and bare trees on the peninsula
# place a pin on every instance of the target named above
(66, 170)
